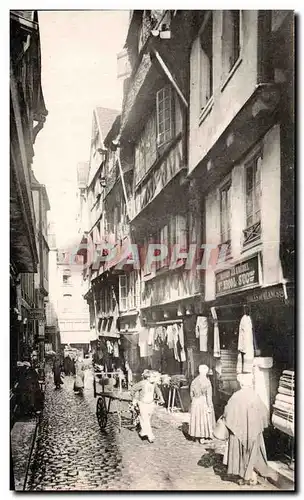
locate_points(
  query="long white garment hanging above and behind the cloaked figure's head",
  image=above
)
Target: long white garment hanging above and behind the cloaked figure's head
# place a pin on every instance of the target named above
(245, 345)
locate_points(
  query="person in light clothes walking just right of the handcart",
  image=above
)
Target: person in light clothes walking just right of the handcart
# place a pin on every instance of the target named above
(143, 394)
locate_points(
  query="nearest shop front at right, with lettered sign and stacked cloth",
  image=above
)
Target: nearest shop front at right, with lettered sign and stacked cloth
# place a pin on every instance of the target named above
(255, 326)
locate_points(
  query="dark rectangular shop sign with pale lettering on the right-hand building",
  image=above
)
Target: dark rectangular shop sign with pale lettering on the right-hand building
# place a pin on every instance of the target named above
(238, 277)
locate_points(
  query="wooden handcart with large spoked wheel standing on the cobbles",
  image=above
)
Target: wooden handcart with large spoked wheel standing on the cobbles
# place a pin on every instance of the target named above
(111, 398)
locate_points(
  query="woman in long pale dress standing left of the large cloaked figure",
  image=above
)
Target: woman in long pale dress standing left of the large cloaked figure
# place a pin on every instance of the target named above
(202, 418)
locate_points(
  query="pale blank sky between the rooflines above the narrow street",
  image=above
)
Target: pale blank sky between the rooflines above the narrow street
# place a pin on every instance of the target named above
(79, 68)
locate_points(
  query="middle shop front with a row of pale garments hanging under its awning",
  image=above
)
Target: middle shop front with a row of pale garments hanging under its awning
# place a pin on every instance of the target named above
(169, 342)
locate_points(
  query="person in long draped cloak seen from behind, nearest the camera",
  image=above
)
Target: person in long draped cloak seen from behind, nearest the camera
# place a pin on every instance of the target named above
(246, 417)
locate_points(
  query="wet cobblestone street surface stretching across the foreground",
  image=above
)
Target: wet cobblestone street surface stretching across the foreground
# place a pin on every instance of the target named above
(72, 453)
